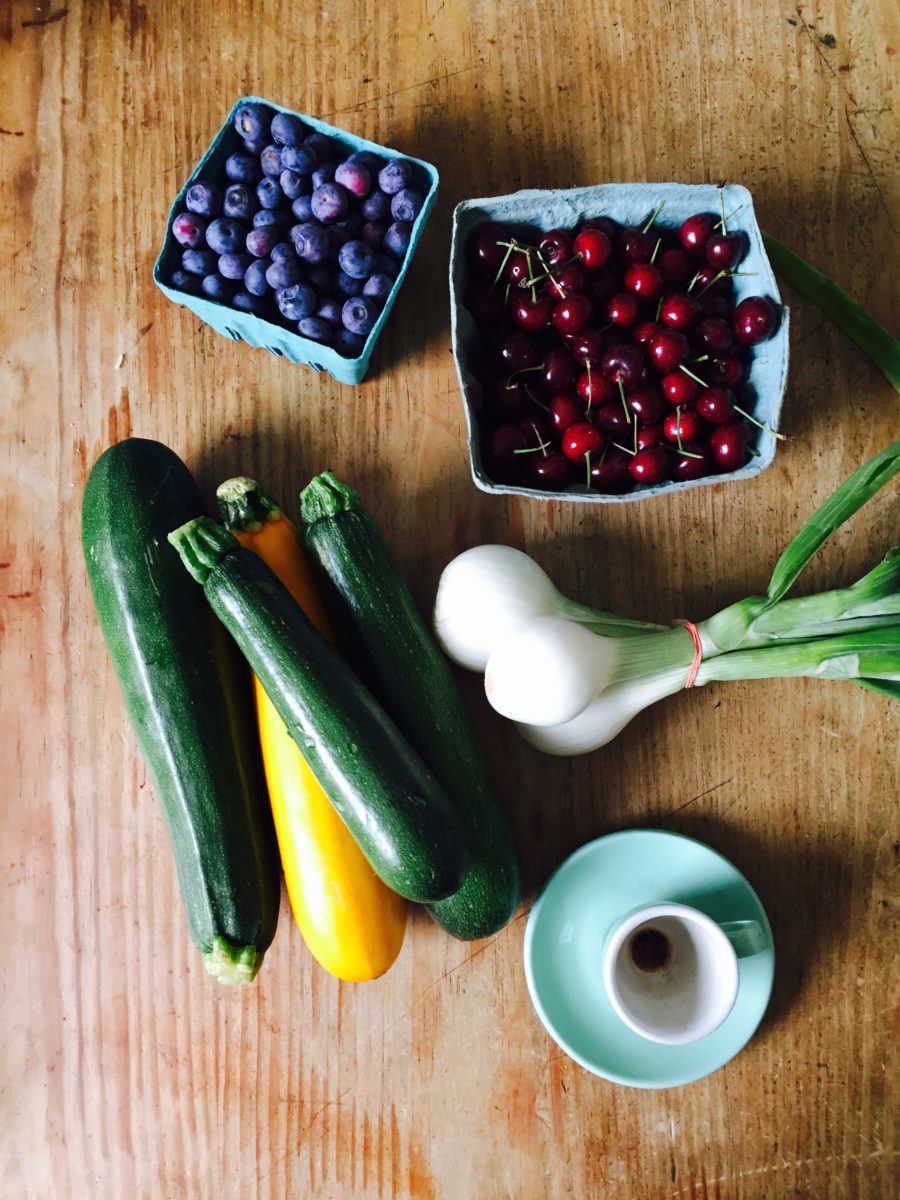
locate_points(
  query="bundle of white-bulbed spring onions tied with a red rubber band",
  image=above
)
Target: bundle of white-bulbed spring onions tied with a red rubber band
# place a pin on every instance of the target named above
(573, 677)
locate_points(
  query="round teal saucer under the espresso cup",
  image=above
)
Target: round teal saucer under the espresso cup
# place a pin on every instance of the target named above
(595, 887)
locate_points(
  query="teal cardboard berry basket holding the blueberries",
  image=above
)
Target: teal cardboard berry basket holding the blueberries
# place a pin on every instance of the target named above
(244, 327)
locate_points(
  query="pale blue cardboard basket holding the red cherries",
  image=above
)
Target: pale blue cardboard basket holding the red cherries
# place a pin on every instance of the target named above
(631, 206)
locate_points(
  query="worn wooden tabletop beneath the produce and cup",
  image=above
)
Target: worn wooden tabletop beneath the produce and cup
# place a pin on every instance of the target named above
(127, 1071)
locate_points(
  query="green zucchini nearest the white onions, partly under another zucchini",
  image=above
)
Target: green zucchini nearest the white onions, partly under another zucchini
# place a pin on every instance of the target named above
(413, 681)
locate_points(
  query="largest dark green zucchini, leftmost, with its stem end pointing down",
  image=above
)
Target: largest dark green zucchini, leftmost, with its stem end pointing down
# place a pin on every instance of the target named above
(182, 683)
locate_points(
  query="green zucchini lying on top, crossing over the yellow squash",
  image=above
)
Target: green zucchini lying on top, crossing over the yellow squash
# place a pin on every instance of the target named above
(388, 800)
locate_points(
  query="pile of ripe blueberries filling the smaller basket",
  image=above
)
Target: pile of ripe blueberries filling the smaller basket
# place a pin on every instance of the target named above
(299, 233)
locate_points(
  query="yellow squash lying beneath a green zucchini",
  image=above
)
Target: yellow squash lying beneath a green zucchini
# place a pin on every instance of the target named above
(352, 922)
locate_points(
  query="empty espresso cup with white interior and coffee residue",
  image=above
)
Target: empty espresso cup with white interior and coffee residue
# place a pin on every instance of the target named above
(671, 973)
